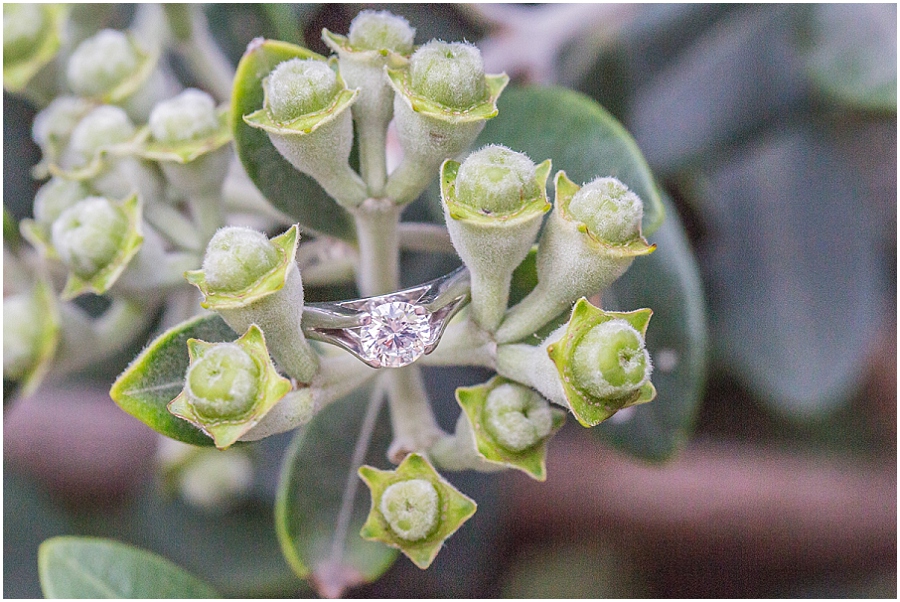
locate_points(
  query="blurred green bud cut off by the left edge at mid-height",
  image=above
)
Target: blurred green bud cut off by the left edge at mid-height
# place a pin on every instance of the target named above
(30, 335)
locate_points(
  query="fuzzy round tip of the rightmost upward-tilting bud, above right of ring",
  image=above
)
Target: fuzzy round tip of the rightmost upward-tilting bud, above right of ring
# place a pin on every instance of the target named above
(609, 209)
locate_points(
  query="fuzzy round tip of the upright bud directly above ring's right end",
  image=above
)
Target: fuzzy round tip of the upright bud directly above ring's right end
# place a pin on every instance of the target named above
(496, 179)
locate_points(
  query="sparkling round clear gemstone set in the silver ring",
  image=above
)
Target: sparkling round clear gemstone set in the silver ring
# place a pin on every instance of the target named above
(395, 334)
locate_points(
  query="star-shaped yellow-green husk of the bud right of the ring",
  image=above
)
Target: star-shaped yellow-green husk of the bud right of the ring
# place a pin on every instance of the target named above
(589, 409)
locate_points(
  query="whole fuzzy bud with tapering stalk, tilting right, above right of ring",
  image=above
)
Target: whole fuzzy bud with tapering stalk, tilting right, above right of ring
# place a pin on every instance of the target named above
(590, 239)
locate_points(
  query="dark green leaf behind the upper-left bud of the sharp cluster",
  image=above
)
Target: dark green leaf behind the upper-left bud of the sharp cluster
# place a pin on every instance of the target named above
(294, 193)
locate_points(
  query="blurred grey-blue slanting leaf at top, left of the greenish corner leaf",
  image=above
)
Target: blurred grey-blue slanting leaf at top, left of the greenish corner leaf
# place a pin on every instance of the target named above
(740, 74)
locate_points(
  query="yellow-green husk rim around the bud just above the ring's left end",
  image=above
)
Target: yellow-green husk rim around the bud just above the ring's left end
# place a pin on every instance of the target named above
(270, 282)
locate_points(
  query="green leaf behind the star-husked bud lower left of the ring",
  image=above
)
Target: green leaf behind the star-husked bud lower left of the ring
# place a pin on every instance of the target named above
(156, 377)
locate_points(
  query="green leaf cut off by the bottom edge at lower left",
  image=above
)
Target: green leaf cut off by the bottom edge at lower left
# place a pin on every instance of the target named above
(84, 567)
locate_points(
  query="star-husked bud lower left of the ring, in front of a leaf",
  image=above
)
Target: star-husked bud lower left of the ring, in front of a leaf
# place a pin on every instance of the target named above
(229, 387)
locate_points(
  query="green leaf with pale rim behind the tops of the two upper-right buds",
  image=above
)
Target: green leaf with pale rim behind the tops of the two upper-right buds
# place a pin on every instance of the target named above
(578, 135)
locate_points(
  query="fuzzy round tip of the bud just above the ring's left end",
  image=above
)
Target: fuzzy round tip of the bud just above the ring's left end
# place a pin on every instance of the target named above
(238, 257)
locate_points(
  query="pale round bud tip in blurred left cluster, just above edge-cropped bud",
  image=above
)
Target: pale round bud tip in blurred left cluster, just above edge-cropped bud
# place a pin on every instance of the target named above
(89, 235)
